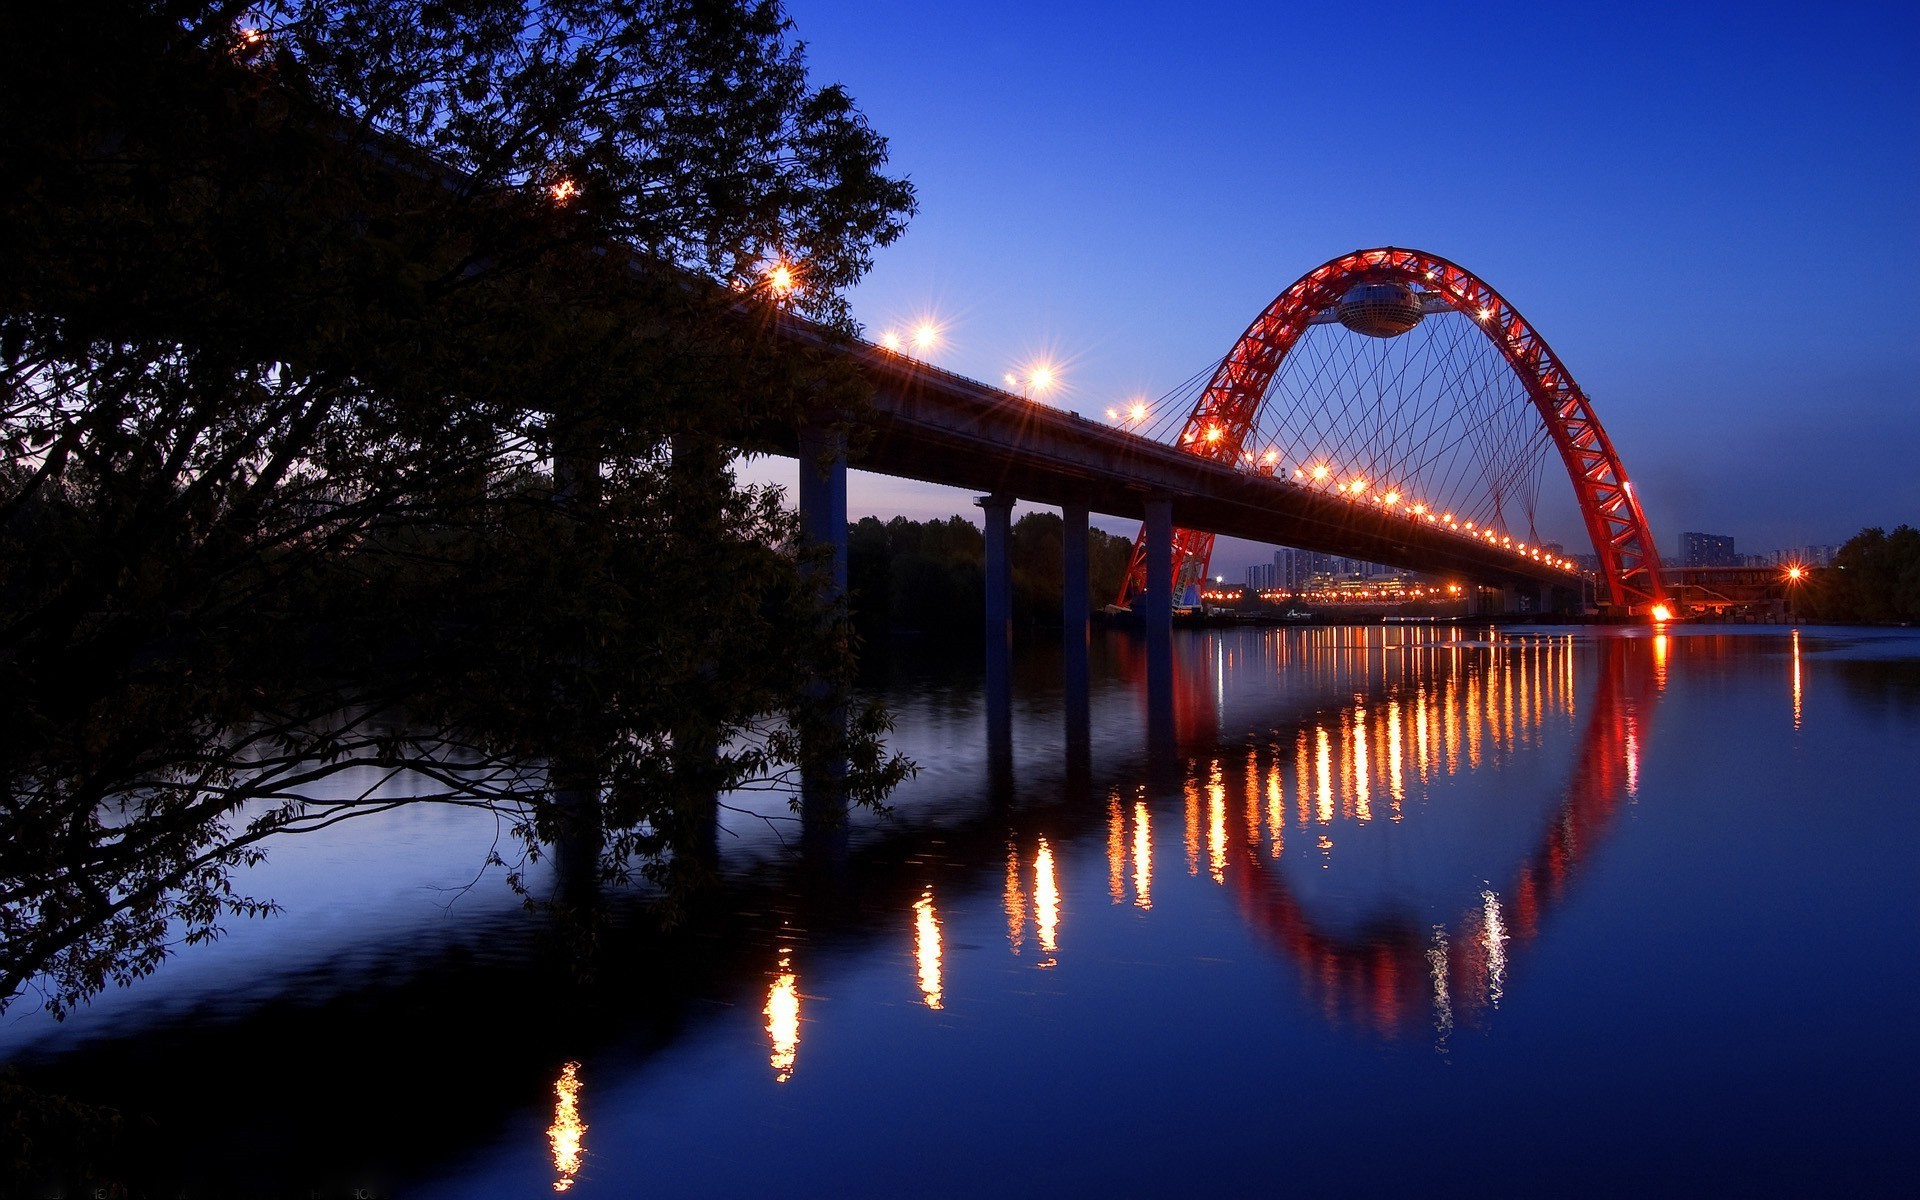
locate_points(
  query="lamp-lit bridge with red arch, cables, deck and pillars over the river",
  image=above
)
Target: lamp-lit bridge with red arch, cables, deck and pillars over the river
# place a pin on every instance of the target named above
(1364, 444)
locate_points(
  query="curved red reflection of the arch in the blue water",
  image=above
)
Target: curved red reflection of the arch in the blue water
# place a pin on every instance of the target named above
(1393, 971)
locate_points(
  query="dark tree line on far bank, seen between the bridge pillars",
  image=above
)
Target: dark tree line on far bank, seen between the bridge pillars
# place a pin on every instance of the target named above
(930, 575)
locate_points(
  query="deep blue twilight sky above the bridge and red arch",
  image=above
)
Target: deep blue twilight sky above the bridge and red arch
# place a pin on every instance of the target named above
(1710, 210)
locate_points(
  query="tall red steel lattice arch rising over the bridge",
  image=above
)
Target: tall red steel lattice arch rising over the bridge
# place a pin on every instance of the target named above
(1218, 427)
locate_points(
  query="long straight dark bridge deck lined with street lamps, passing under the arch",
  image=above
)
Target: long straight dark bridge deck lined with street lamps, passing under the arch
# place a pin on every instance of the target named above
(938, 427)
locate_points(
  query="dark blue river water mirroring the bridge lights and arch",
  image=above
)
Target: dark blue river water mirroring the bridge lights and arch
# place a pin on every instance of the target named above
(1535, 913)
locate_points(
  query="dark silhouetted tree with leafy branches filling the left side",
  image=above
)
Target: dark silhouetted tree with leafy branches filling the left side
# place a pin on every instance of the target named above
(322, 456)
